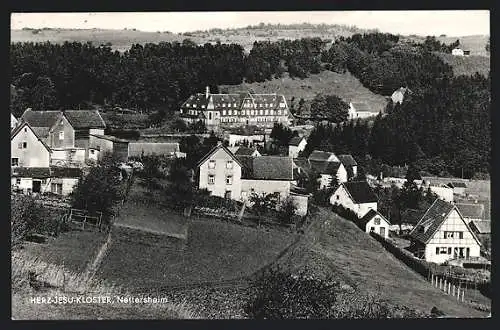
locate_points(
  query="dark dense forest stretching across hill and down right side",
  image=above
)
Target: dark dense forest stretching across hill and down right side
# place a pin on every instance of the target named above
(445, 120)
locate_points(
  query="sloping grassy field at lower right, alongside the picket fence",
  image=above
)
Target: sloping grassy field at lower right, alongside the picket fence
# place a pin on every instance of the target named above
(336, 246)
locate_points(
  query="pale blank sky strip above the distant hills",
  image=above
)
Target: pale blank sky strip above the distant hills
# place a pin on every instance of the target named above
(435, 22)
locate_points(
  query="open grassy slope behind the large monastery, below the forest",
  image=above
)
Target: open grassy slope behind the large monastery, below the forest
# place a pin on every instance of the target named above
(346, 86)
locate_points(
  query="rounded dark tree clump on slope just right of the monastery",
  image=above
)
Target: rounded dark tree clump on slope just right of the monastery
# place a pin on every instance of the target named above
(329, 107)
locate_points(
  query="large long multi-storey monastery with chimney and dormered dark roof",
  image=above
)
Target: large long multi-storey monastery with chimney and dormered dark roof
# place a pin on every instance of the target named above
(237, 109)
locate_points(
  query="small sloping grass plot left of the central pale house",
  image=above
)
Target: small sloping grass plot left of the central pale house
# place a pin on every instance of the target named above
(143, 211)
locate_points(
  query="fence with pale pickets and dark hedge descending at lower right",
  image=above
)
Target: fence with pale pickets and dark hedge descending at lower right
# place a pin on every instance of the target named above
(465, 290)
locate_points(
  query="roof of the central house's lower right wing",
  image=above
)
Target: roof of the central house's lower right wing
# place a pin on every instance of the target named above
(272, 168)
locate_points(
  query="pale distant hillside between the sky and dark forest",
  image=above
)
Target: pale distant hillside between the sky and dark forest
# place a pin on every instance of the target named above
(122, 39)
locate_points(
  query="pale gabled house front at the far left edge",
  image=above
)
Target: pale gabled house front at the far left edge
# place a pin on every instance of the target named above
(27, 149)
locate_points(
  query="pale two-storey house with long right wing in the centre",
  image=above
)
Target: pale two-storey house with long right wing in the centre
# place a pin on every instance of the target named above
(238, 177)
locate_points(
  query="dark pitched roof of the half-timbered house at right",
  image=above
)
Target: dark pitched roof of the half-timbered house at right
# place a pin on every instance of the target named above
(432, 220)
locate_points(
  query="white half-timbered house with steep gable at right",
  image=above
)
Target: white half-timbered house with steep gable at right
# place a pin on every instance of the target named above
(443, 234)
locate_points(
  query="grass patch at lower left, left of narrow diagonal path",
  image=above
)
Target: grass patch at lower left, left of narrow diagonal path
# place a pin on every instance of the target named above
(74, 249)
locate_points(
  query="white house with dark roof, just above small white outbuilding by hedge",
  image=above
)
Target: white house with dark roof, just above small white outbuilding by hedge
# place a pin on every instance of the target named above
(357, 196)
